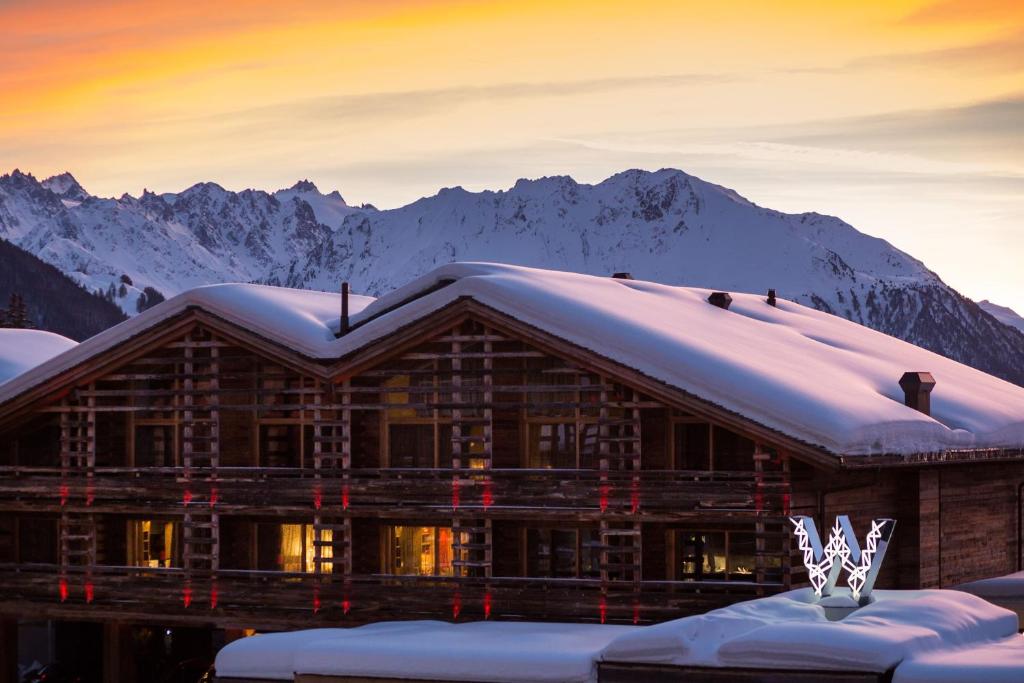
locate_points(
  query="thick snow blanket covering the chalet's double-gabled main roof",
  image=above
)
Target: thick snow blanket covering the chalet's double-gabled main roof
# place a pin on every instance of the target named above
(815, 377)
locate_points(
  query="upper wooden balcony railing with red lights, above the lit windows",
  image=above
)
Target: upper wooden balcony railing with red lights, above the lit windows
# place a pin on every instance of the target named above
(656, 495)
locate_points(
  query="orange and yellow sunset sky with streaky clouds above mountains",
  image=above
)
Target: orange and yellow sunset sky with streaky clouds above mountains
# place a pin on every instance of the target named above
(905, 118)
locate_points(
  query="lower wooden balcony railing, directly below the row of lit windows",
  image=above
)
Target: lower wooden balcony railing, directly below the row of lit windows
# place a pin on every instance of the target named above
(271, 600)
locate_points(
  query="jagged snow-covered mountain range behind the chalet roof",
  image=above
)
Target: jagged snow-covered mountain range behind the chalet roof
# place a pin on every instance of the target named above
(666, 226)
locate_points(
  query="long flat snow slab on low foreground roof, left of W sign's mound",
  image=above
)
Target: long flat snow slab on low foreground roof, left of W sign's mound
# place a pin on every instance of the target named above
(501, 652)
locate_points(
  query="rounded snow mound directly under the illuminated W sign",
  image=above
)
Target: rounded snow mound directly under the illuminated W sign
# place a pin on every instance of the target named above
(791, 631)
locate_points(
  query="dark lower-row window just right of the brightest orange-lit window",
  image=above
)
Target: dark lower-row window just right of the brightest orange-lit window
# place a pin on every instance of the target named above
(564, 553)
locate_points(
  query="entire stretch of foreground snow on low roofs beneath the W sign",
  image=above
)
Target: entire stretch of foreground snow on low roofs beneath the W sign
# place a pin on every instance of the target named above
(901, 631)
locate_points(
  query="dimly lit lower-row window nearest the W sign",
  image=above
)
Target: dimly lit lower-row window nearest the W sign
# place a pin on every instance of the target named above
(715, 556)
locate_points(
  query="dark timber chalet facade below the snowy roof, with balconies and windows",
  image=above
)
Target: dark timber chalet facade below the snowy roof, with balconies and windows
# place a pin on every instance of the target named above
(467, 467)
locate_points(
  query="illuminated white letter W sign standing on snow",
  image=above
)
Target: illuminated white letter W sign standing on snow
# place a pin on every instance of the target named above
(843, 552)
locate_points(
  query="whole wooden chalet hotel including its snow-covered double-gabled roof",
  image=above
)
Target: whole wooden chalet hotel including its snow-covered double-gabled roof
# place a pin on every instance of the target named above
(489, 442)
